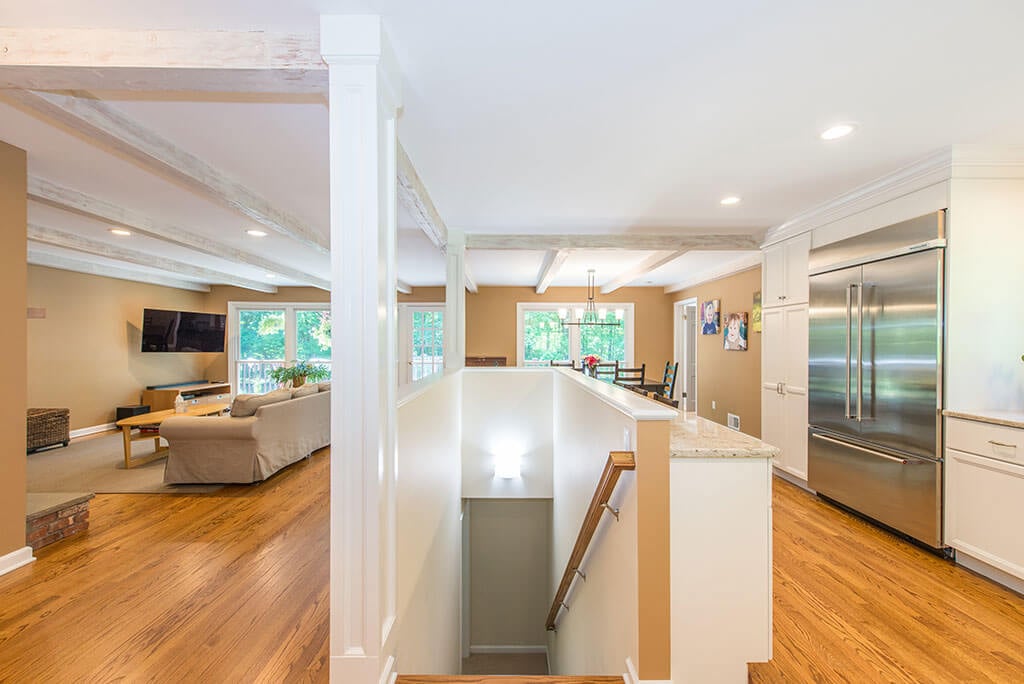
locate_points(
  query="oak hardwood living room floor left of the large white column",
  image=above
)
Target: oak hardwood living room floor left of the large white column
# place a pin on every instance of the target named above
(225, 587)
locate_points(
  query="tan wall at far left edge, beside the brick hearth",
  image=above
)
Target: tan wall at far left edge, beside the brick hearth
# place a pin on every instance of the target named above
(14, 225)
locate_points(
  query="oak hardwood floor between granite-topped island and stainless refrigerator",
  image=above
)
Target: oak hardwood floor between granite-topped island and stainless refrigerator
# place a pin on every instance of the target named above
(855, 604)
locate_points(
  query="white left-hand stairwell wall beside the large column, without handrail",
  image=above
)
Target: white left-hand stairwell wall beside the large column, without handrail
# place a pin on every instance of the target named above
(426, 637)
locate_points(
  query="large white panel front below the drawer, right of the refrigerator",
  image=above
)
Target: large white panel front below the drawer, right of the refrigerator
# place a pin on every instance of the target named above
(985, 507)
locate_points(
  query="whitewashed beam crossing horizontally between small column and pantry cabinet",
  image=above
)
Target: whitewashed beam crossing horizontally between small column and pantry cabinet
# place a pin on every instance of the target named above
(642, 243)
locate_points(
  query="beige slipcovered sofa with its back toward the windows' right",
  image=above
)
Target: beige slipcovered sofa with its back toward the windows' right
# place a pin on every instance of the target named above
(250, 449)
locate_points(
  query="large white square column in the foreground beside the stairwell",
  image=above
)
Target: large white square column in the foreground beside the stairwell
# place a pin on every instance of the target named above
(364, 100)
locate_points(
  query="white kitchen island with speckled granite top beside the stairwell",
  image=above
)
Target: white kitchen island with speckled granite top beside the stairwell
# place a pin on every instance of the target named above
(721, 550)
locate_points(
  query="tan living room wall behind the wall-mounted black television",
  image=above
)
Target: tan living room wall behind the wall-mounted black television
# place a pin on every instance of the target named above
(86, 355)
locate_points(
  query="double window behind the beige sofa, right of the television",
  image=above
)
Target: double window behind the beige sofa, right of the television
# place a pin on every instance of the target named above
(264, 337)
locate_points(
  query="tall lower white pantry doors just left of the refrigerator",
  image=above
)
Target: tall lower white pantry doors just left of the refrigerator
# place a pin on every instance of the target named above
(784, 393)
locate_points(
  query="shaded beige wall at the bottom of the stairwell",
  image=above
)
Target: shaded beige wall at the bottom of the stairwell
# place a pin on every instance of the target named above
(510, 559)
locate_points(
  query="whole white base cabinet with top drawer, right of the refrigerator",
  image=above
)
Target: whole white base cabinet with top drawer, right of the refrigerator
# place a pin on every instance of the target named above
(985, 487)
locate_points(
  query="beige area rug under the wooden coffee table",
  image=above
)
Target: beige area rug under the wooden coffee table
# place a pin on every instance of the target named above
(97, 464)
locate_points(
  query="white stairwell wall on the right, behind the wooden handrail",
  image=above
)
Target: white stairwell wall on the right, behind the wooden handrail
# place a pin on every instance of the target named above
(600, 632)
